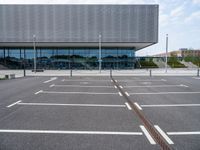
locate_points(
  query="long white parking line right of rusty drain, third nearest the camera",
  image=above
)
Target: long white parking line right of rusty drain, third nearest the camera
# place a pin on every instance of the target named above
(163, 93)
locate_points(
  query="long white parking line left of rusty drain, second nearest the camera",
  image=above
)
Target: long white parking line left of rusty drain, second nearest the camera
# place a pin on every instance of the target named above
(78, 105)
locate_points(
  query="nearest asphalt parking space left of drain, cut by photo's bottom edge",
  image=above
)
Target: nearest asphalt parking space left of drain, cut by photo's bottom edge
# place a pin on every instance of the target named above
(61, 141)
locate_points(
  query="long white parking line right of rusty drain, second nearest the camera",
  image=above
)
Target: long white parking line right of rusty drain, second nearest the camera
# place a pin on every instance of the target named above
(170, 105)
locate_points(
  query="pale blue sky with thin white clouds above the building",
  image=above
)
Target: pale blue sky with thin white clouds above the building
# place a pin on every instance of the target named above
(180, 19)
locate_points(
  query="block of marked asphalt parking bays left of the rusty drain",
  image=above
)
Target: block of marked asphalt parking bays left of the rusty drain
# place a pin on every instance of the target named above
(74, 110)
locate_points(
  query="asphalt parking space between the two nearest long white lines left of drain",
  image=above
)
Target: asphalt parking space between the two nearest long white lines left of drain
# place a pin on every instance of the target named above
(72, 118)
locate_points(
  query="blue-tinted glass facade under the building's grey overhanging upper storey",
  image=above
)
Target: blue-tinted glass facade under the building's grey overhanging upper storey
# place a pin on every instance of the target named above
(66, 58)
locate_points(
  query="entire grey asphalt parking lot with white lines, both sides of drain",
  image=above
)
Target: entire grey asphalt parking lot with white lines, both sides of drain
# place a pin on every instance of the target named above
(91, 112)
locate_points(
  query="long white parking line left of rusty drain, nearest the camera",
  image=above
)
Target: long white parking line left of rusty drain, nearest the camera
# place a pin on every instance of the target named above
(69, 132)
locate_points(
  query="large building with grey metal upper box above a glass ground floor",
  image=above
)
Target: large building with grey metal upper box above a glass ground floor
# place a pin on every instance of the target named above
(75, 36)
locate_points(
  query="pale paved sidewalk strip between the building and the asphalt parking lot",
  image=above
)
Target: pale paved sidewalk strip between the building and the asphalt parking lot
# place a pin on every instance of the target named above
(135, 72)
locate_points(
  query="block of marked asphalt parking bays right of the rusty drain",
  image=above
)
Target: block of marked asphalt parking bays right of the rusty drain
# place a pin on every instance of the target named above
(175, 109)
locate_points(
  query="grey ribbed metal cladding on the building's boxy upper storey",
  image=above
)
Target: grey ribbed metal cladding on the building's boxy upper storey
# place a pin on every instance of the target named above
(79, 23)
